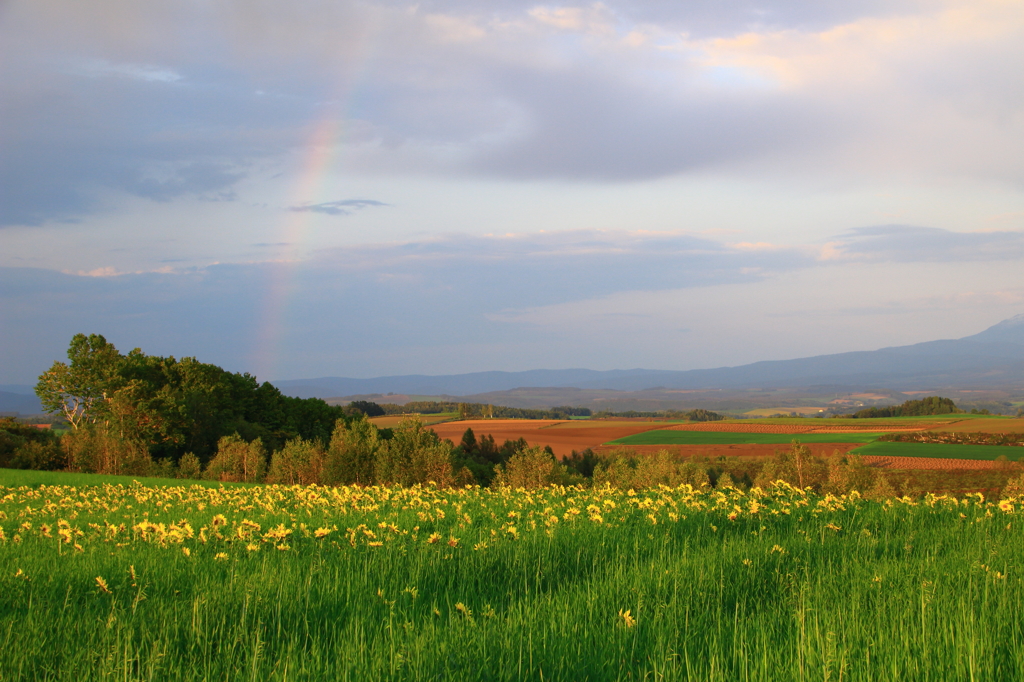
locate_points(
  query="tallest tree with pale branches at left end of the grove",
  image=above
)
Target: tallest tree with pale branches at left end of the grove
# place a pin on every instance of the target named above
(80, 391)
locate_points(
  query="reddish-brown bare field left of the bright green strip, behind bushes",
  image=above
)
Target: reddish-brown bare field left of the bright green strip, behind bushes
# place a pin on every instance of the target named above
(563, 437)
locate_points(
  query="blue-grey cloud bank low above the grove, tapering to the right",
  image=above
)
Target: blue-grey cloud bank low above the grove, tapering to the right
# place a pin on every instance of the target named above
(362, 300)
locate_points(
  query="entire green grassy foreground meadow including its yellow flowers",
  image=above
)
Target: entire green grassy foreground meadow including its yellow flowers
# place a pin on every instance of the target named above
(270, 582)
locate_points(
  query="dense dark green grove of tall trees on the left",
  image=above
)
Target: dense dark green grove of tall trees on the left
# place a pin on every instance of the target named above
(147, 406)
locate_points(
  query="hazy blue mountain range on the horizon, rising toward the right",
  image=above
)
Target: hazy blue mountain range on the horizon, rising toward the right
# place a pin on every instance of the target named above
(993, 359)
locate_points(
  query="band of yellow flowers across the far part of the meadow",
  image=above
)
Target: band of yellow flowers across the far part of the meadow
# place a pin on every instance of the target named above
(224, 523)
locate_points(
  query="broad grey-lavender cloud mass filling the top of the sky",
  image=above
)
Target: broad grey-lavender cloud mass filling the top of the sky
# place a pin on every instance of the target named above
(131, 99)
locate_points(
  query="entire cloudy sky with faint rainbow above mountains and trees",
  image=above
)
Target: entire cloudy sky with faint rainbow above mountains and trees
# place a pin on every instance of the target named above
(381, 188)
